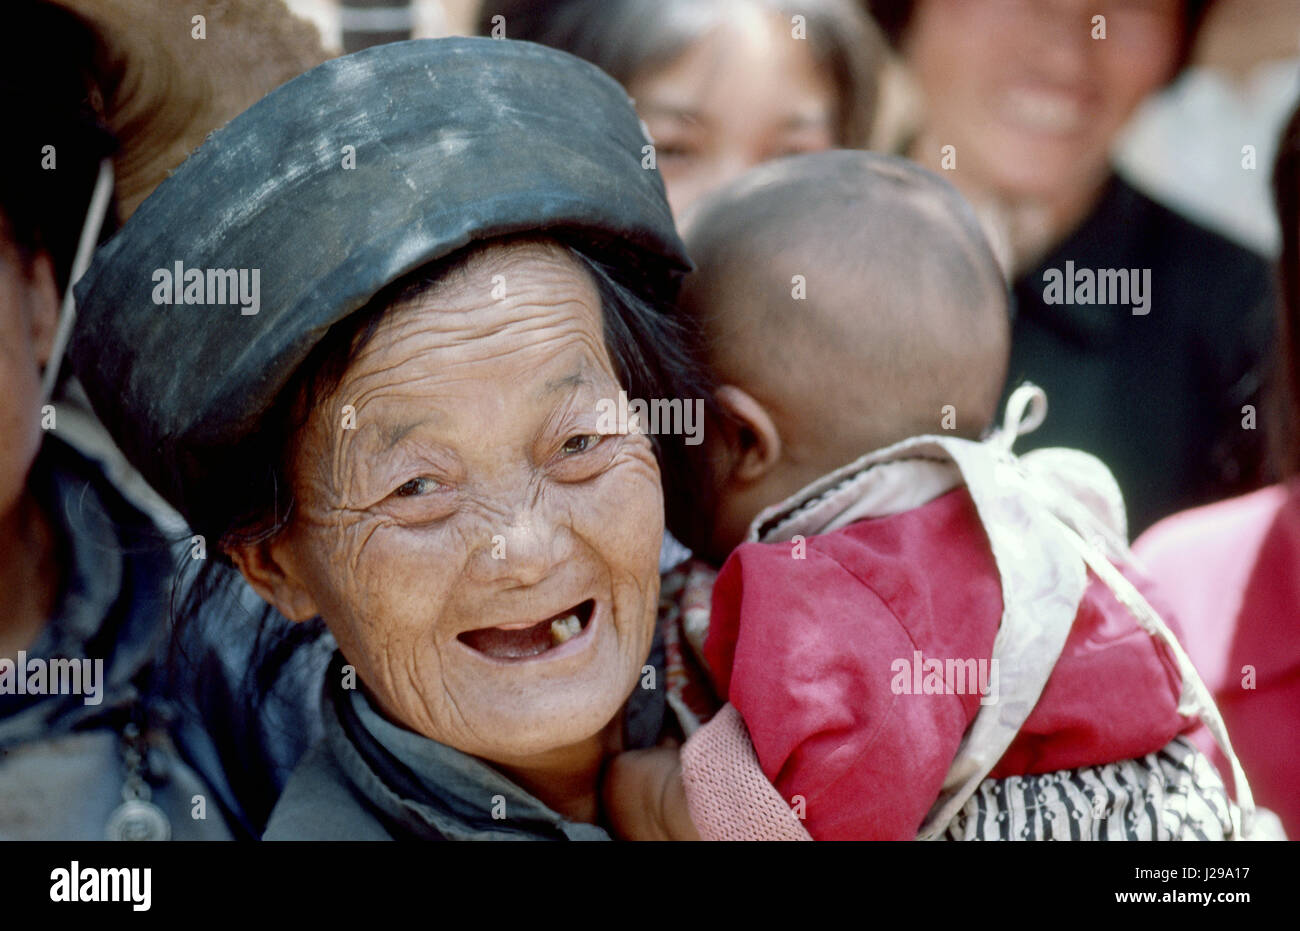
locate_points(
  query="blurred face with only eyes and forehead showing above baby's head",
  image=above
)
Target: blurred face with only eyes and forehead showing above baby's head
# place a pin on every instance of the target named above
(747, 93)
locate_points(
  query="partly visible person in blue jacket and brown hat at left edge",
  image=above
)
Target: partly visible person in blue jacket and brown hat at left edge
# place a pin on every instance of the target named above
(103, 92)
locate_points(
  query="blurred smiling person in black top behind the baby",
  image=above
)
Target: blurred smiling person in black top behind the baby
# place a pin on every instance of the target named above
(1024, 105)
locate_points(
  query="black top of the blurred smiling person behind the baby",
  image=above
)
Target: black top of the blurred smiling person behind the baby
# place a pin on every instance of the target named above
(1158, 397)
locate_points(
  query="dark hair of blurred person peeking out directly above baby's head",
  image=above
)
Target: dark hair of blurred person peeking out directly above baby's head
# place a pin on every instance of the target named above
(625, 38)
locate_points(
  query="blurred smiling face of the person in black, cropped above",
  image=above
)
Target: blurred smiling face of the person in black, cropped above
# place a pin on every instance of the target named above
(1030, 99)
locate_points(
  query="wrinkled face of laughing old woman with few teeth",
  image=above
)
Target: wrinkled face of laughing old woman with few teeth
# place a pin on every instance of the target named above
(475, 518)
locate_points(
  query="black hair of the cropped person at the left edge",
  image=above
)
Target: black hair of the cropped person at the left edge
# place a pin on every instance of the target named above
(49, 66)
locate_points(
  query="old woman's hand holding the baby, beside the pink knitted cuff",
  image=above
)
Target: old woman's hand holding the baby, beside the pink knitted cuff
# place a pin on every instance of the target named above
(644, 796)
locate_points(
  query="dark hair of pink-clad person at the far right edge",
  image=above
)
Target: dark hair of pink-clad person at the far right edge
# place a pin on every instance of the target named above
(1286, 198)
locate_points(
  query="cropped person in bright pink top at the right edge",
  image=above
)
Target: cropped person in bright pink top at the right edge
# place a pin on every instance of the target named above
(1233, 570)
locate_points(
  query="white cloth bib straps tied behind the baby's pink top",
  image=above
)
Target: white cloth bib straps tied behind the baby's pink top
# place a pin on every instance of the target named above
(1050, 517)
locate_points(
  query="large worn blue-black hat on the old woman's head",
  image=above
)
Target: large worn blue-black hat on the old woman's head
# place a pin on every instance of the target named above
(454, 141)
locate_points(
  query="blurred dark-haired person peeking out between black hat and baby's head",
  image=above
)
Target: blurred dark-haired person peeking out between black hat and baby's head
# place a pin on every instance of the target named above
(722, 85)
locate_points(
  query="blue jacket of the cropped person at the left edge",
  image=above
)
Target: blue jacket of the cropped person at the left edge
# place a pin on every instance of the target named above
(63, 761)
